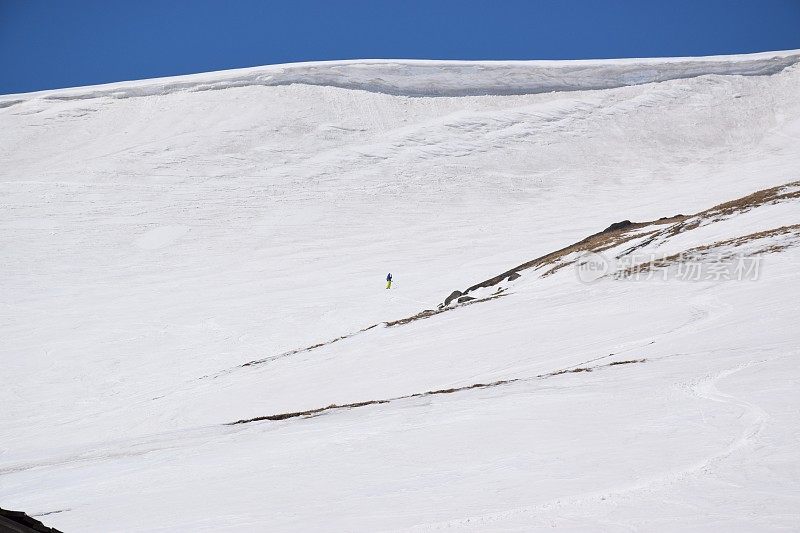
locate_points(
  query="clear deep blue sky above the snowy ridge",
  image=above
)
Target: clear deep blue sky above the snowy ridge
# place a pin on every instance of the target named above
(50, 44)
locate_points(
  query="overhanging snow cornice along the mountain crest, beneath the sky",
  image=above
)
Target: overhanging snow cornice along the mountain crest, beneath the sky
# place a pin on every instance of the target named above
(443, 78)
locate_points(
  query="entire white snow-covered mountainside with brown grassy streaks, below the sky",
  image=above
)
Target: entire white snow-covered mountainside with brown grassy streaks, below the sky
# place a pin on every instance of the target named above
(179, 255)
